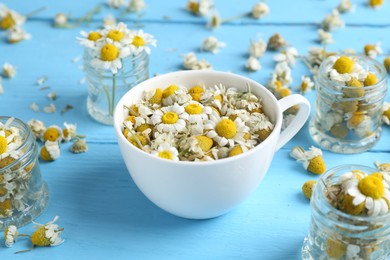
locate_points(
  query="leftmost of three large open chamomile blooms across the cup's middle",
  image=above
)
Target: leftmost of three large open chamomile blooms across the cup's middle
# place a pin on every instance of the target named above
(170, 119)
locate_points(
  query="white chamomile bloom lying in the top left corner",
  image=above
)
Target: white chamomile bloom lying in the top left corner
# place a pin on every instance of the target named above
(13, 22)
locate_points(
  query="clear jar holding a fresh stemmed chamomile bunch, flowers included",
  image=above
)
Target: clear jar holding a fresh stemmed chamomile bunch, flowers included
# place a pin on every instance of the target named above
(115, 60)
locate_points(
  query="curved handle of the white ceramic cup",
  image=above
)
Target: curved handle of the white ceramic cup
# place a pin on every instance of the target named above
(299, 120)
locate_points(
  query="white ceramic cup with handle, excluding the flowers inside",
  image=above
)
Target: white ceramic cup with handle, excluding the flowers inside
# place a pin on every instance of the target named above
(200, 190)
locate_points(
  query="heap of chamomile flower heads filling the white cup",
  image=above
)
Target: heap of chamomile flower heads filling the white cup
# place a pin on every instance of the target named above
(196, 124)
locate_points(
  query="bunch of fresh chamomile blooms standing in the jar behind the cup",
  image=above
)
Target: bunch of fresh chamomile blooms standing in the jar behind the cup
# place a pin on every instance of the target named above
(109, 46)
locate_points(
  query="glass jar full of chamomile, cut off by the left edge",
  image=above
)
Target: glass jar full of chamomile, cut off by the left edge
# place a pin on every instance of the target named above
(23, 193)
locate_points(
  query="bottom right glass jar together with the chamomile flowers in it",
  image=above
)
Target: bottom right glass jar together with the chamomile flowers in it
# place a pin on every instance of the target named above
(350, 215)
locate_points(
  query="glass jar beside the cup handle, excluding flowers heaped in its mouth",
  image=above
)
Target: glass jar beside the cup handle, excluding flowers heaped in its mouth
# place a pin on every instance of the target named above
(347, 119)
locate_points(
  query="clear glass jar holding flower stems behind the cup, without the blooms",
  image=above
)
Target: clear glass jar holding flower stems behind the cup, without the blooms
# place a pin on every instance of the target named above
(105, 88)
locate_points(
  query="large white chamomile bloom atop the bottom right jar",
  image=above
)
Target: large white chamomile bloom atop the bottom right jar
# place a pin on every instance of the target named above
(369, 192)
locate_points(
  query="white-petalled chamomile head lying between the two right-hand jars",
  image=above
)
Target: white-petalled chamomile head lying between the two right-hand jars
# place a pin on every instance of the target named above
(312, 159)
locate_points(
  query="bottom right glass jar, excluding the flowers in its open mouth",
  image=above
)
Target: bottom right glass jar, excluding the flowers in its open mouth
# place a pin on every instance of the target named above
(334, 234)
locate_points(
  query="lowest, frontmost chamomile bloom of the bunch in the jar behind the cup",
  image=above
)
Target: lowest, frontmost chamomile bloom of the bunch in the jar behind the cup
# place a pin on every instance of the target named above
(108, 55)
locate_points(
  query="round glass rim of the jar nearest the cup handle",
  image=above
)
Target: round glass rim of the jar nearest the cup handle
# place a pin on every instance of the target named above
(381, 72)
